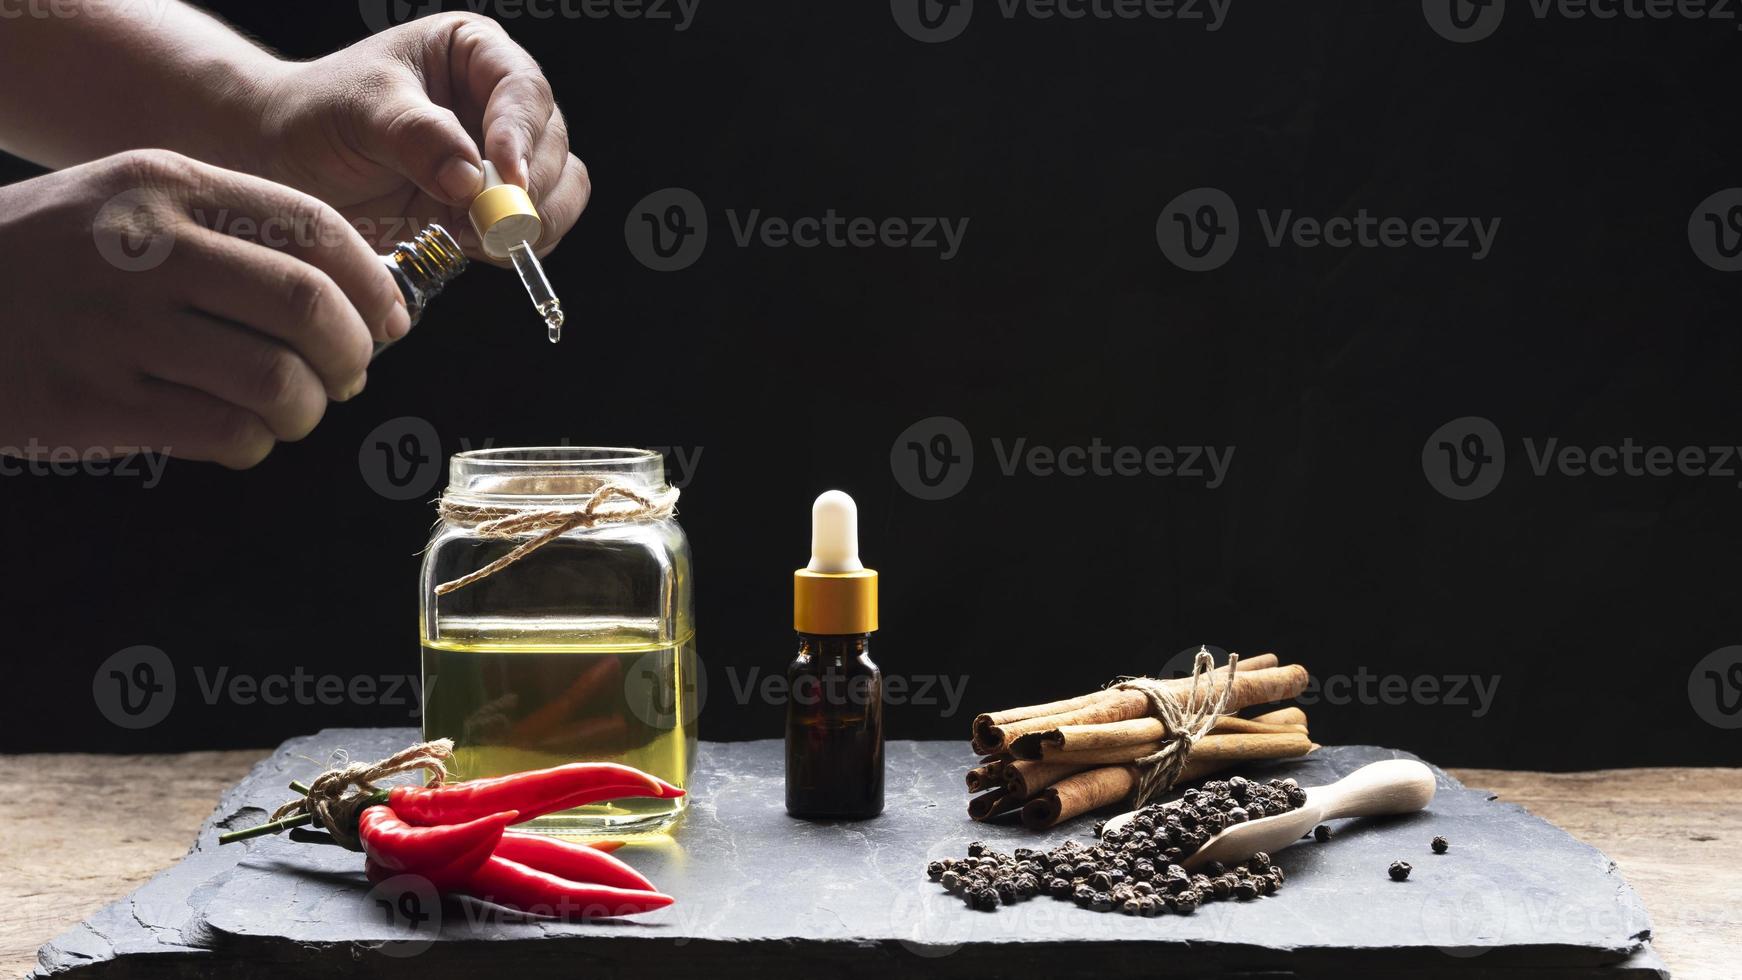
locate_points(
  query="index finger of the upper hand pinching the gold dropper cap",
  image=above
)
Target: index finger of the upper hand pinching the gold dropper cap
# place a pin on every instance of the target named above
(515, 93)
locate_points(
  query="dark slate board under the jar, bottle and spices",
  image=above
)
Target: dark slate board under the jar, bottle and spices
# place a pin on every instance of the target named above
(762, 894)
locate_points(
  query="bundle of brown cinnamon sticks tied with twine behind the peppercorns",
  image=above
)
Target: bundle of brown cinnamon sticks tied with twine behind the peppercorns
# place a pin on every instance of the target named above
(1067, 758)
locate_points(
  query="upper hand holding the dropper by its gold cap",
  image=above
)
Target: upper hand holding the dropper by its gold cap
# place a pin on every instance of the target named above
(388, 131)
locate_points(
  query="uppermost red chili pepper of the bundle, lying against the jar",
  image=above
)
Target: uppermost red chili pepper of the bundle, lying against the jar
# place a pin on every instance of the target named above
(532, 795)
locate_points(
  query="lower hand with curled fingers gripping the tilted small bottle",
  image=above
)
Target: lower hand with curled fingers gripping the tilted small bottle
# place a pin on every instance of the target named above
(138, 323)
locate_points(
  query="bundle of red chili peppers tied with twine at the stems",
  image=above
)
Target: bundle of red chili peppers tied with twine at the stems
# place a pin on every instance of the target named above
(457, 838)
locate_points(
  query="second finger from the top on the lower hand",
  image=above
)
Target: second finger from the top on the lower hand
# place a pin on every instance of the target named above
(283, 299)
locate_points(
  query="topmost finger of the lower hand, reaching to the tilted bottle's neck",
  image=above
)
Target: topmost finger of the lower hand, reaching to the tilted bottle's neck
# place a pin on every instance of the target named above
(309, 231)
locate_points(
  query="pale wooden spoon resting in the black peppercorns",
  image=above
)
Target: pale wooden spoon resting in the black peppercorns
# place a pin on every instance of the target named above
(1379, 789)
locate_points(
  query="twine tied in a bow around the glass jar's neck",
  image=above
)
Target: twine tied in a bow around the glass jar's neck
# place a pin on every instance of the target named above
(609, 504)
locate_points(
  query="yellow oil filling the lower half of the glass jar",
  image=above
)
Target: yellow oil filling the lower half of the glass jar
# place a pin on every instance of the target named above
(520, 699)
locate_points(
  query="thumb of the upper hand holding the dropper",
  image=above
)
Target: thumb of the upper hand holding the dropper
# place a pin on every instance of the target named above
(426, 142)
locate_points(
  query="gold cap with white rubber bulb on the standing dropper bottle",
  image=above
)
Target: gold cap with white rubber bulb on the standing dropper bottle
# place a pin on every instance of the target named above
(835, 594)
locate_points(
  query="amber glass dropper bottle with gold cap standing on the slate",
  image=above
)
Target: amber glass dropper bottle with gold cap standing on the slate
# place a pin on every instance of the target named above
(835, 692)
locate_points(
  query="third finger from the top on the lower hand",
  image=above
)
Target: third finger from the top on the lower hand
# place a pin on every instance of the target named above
(243, 368)
